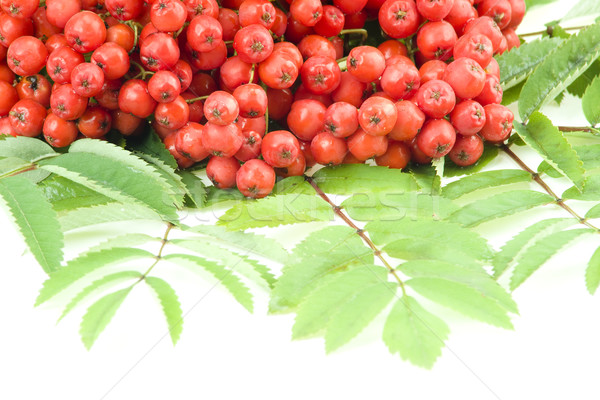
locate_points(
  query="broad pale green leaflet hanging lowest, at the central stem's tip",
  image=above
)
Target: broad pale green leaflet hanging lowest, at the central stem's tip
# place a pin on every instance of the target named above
(414, 333)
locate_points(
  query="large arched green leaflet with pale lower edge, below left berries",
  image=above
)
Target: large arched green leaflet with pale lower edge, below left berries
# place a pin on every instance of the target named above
(114, 179)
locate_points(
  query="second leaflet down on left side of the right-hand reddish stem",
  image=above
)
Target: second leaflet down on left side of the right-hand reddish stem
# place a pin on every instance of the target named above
(499, 205)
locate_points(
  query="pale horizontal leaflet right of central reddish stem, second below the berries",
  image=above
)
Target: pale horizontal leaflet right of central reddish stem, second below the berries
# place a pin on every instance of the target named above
(396, 206)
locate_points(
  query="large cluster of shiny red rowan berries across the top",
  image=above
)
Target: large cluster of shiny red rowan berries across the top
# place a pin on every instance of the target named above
(208, 79)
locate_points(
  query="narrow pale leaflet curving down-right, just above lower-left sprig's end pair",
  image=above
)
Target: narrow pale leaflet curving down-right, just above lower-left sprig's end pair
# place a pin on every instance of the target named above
(224, 275)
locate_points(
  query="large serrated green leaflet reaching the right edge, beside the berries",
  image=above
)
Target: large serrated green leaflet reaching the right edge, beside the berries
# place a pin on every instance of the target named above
(553, 75)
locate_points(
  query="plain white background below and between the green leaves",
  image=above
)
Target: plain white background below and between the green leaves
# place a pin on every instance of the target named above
(225, 352)
